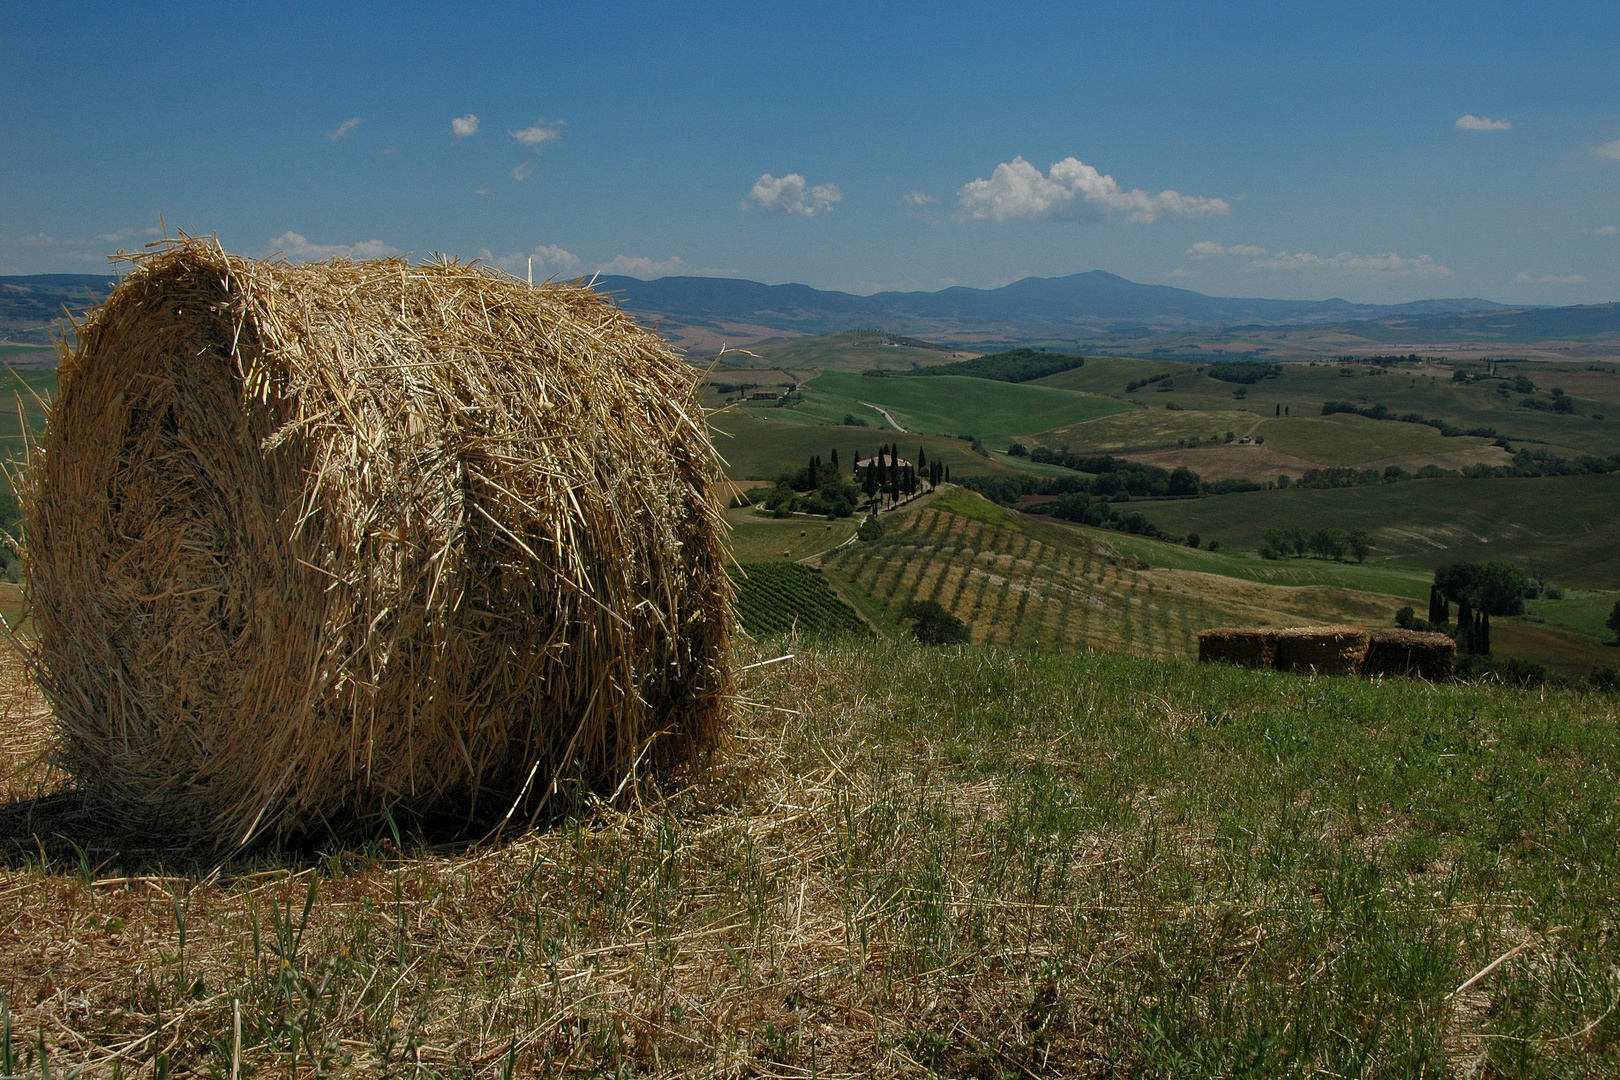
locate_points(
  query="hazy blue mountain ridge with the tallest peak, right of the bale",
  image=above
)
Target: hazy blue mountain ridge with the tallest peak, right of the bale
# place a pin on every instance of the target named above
(1076, 308)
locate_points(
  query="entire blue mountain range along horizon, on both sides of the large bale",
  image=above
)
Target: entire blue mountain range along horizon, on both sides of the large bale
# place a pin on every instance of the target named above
(1096, 310)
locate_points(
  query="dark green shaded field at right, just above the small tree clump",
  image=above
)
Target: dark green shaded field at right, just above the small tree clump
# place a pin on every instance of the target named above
(1564, 525)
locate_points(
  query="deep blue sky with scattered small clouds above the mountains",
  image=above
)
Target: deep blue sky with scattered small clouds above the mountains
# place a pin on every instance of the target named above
(1378, 153)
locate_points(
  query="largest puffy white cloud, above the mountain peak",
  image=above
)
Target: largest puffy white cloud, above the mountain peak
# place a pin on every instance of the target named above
(1072, 190)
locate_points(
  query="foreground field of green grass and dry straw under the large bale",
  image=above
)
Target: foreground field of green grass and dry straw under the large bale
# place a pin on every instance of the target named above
(906, 862)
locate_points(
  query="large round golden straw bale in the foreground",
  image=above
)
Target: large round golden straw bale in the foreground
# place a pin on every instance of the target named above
(317, 546)
